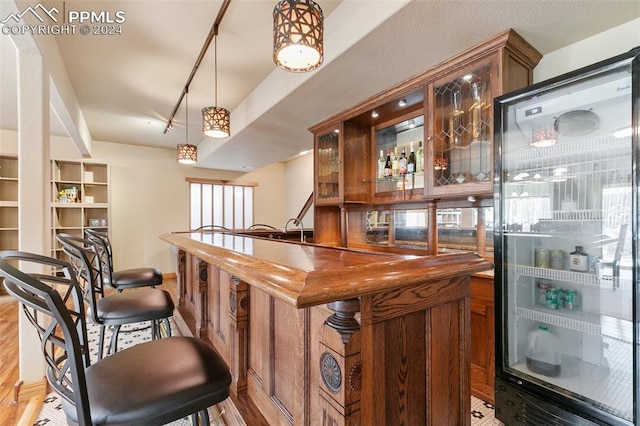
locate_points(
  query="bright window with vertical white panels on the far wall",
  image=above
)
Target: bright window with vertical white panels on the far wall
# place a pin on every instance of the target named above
(220, 204)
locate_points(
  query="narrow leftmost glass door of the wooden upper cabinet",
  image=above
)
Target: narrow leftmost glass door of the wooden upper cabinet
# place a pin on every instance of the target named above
(328, 167)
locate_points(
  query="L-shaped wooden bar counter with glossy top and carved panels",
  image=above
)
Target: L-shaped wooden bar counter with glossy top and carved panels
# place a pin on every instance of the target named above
(317, 335)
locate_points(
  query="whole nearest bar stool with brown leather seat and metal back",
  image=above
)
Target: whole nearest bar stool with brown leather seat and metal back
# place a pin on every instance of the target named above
(145, 384)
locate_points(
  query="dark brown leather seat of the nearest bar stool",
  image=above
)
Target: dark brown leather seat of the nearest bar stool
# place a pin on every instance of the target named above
(153, 382)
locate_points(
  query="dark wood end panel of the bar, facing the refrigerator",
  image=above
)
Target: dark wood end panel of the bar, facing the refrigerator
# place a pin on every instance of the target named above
(415, 355)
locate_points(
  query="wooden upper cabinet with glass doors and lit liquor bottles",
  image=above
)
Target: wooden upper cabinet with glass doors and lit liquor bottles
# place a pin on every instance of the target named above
(444, 113)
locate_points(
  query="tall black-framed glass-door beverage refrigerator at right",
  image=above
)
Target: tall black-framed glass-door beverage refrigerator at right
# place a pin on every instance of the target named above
(566, 250)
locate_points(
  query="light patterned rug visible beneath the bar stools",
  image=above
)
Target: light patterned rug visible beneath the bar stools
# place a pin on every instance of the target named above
(51, 413)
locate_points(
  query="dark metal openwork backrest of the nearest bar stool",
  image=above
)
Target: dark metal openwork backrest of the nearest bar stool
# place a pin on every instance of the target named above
(53, 304)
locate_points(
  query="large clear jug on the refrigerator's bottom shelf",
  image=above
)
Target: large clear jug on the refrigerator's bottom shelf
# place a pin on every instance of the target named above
(543, 352)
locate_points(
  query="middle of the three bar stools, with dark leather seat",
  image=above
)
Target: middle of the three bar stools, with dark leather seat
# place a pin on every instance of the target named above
(118, 309)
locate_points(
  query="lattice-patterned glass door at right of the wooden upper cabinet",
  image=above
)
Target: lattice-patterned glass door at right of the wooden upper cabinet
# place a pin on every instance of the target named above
(462, 131)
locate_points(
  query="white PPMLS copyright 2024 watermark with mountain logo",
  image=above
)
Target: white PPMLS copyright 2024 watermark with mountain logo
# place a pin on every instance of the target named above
(54, 21)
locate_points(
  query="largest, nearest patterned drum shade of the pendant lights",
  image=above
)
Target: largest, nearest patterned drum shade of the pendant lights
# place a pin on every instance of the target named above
(297, 35)
